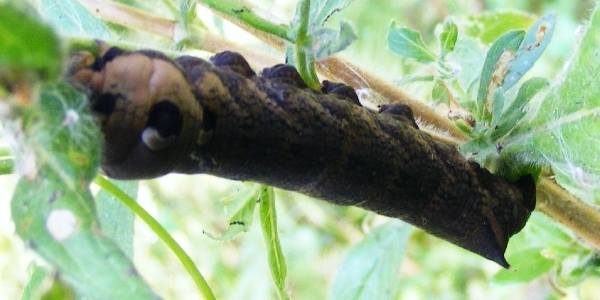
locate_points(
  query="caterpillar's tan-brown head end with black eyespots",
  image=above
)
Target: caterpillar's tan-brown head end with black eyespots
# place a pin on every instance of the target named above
(148, 114)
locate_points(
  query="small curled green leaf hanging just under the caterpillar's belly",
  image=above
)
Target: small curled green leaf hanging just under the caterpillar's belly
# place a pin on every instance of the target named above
(240, 208)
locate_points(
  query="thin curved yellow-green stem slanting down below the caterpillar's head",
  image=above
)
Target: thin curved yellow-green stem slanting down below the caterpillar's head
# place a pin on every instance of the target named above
(161, 232)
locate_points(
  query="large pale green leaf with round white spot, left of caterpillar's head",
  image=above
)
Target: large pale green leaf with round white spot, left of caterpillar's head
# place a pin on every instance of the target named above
(53, 209)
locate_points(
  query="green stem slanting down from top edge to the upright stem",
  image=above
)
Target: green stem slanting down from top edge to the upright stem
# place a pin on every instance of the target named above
(245, 14)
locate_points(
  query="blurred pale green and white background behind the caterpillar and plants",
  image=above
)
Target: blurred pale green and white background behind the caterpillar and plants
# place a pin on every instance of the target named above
(315, 235)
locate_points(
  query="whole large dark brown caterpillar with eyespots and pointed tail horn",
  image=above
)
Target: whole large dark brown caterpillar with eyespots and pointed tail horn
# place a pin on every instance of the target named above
(190, 116)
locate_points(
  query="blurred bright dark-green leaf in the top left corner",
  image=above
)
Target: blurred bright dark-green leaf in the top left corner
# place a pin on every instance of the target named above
(27, 44)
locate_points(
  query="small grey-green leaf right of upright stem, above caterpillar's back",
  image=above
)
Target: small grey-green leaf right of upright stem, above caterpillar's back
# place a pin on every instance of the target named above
(328, 41)
